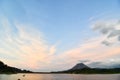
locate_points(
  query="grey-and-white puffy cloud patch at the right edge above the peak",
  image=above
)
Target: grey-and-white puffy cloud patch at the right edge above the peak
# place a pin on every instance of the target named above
(110, 29)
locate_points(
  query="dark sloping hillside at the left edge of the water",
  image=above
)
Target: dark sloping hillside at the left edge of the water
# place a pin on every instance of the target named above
(8, 69)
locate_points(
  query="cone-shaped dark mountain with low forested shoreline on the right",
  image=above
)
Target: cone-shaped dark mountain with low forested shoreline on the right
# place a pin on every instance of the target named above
(81, 68)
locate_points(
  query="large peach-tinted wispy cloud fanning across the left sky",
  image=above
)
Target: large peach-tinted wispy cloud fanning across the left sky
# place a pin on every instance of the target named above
(25, 47)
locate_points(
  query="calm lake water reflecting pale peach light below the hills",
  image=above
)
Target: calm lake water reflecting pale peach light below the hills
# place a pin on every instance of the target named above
(60, 77)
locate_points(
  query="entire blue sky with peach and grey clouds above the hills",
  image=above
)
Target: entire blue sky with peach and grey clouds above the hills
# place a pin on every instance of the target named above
(53, 35)
